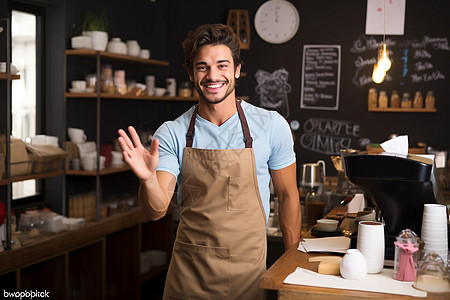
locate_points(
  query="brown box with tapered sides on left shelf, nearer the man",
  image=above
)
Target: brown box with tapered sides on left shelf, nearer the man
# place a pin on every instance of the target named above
(46, 158)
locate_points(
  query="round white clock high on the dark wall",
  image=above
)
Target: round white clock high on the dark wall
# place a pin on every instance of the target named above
(277, 21)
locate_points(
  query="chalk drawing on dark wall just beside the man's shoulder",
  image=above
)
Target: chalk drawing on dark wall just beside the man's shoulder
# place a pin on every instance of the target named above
(272, 90)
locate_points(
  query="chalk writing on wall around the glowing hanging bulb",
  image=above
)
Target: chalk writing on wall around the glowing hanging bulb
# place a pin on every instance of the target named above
(415, 56)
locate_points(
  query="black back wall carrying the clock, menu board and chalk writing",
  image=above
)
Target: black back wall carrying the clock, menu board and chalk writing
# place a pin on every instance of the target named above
(325, 22)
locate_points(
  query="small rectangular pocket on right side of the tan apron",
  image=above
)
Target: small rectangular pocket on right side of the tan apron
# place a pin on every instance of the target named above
(237, 193)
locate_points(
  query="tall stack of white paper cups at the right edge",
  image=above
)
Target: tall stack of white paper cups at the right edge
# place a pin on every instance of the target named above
(434, 229)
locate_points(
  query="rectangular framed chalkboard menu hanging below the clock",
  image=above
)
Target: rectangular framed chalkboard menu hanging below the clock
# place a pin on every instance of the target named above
(320, 77)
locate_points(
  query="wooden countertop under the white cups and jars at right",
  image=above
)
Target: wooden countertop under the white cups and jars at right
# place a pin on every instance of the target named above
(292, 258)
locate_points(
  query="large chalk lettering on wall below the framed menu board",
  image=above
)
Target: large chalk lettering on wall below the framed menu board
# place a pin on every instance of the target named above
(328, 136)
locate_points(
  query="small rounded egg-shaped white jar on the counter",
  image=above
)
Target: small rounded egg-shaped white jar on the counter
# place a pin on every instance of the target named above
(353, 265)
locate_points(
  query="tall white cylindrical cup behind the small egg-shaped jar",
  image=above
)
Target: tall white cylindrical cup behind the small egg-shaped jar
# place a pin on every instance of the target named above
(370, 243)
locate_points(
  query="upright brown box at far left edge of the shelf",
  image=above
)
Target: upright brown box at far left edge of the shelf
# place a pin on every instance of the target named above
(20, 161)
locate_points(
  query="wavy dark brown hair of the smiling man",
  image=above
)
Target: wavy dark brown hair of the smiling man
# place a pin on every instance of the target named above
(210, 34)
